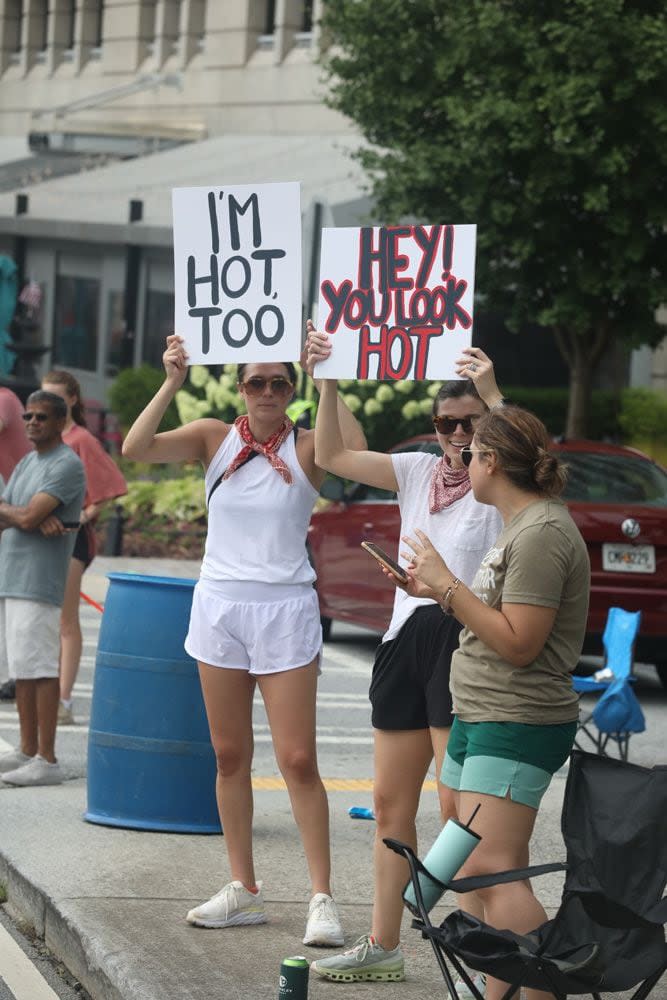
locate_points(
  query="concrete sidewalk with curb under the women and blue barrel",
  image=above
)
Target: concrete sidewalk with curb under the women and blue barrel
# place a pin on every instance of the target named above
(110, 903)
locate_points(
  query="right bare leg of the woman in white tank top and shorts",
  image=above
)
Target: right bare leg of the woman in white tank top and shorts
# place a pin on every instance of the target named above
(289, 697)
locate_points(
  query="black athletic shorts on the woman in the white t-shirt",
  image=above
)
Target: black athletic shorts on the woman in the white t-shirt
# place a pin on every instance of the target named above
(410, 683)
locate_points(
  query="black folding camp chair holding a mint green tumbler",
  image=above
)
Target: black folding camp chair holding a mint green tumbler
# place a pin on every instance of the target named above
(608, 933)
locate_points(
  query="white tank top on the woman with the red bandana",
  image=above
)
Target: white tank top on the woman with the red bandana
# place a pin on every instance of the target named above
(257, 522)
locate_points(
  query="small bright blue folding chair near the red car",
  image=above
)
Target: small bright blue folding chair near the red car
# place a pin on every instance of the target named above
(620, 714)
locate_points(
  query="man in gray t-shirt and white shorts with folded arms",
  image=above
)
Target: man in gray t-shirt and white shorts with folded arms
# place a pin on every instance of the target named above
(39, 517)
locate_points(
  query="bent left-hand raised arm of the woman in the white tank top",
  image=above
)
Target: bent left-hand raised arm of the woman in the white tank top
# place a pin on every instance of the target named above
(192, 442)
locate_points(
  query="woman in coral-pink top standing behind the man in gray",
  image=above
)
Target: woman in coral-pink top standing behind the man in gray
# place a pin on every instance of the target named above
(104, 482)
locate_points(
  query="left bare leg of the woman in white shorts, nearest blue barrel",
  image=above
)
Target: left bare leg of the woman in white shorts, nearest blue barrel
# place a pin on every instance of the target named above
(228, 700)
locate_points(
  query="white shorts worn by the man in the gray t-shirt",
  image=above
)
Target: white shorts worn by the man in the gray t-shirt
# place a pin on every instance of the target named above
(29, 638)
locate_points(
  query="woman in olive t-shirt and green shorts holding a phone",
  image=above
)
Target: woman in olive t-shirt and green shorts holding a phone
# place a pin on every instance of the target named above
(524, 622)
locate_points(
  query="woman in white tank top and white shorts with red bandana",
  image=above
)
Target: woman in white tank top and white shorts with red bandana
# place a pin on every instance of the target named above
(255, 616)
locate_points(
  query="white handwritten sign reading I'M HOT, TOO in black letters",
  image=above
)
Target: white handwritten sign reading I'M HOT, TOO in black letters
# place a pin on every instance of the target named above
(237, 272)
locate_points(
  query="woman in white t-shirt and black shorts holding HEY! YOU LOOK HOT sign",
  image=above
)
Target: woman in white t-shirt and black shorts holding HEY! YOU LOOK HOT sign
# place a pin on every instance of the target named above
(412, 705)
